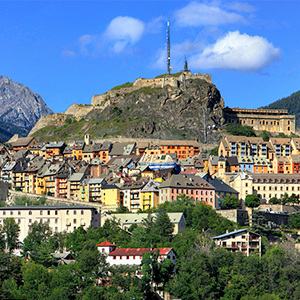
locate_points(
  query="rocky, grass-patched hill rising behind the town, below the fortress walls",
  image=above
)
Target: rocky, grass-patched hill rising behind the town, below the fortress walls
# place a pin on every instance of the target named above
(167, 112)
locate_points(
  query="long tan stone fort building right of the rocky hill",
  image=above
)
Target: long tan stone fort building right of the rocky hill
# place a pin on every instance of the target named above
(272, 120)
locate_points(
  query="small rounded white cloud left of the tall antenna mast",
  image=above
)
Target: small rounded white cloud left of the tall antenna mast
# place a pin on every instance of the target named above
(123, 31)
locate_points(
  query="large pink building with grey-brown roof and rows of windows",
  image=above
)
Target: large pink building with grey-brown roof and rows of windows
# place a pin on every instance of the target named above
(192, 186)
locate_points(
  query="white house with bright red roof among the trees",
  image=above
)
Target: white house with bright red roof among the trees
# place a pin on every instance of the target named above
(132, 256)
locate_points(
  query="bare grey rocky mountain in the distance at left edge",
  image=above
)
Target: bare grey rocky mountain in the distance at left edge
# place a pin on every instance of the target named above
(20, 107)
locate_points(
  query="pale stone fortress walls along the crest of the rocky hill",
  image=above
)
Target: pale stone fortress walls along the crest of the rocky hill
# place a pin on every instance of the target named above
(104, 100)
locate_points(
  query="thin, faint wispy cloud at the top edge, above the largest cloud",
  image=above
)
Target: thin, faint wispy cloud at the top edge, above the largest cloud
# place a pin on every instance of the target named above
(200, 14)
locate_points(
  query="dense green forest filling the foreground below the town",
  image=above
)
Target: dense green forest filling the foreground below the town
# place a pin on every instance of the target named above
(202, 270)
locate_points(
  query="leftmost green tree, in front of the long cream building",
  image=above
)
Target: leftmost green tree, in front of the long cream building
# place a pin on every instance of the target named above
(12, 231)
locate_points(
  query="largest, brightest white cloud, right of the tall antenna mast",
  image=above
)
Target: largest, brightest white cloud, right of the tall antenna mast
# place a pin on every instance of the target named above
(238, 52)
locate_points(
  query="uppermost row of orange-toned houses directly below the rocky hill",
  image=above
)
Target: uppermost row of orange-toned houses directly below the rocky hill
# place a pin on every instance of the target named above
(87, 149)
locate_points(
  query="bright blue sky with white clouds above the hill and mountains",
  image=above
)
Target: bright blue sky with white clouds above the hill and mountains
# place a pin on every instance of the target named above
(68, 51)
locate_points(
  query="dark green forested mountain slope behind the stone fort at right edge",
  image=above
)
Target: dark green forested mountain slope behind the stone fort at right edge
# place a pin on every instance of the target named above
(291, 103)
